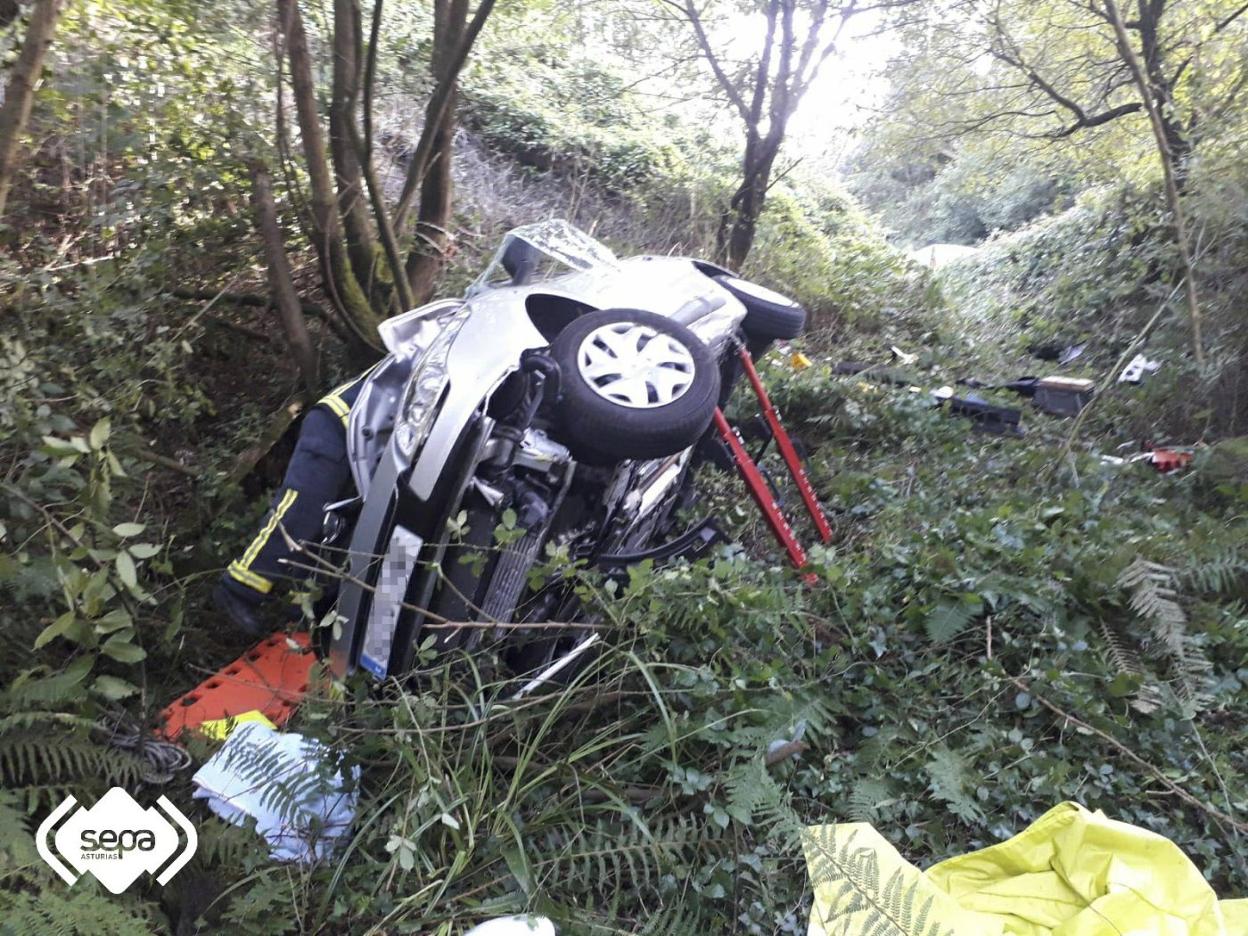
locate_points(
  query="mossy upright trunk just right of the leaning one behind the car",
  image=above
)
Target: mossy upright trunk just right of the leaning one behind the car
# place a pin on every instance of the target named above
(348, 41)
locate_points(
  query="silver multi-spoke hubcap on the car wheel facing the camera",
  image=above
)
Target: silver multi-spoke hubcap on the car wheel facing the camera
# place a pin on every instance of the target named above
(635, 365)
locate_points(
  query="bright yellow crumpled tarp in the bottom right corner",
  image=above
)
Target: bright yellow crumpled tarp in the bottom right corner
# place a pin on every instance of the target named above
(1071, 873)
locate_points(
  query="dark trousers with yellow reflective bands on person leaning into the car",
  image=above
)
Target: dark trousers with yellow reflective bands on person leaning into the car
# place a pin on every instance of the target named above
(318, 475)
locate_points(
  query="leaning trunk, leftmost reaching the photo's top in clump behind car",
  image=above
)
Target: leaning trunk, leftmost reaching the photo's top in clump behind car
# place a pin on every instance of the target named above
(340, 281)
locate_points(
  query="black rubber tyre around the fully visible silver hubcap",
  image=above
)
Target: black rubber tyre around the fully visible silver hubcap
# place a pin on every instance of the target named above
(600, 431)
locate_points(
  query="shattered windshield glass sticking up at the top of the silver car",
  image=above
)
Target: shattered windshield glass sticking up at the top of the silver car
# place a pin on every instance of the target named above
(542, 251)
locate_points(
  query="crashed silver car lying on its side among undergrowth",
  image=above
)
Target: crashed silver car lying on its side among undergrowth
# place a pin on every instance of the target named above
(563, 402)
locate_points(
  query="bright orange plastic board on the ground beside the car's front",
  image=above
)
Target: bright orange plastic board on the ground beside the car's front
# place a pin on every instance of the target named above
(271, 678)
